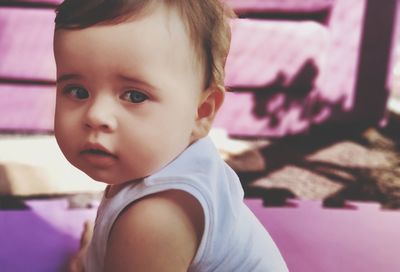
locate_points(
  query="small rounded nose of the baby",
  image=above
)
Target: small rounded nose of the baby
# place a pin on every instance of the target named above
(100, 116)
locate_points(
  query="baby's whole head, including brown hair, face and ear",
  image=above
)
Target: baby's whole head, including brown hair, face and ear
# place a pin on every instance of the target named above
(137, 81)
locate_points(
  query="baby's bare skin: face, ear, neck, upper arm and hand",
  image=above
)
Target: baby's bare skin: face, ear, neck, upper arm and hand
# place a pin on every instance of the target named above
(130, 98)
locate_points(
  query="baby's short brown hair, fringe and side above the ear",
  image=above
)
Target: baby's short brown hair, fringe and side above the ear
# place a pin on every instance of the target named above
(207, 22)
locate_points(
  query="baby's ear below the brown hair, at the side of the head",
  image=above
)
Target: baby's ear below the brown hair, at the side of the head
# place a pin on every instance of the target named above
(210, 102)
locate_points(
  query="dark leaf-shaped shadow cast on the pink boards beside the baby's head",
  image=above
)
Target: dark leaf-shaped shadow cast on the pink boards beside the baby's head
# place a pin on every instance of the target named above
(299, 94)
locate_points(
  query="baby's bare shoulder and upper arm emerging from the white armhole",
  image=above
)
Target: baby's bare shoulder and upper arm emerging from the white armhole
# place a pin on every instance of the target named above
(158, 233)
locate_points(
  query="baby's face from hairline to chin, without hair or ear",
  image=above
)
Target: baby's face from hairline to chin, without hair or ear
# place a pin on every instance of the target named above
(127, 95)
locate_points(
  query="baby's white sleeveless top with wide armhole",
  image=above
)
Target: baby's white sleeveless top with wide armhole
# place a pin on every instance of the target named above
(233, 238)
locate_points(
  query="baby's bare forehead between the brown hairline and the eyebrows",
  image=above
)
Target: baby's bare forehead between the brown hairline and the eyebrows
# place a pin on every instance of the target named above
(154, 47)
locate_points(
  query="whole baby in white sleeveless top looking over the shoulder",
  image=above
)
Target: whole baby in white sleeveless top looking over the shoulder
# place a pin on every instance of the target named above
(138, 85)
